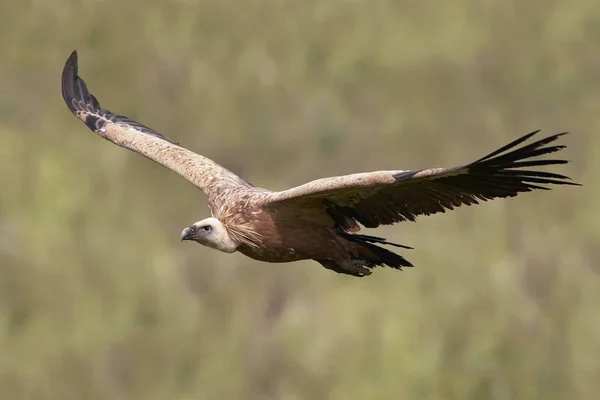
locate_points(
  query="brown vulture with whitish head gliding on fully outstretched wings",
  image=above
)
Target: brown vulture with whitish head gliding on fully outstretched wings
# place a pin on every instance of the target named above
(319, 220)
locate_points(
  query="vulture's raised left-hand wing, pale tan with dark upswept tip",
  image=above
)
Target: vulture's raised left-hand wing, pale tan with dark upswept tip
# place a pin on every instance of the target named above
(213, 179)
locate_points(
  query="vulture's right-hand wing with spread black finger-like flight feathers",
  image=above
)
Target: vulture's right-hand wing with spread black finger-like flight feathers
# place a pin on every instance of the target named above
(386, 197)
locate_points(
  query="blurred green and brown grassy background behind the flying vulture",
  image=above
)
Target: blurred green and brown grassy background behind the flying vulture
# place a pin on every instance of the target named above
(100, 300)
